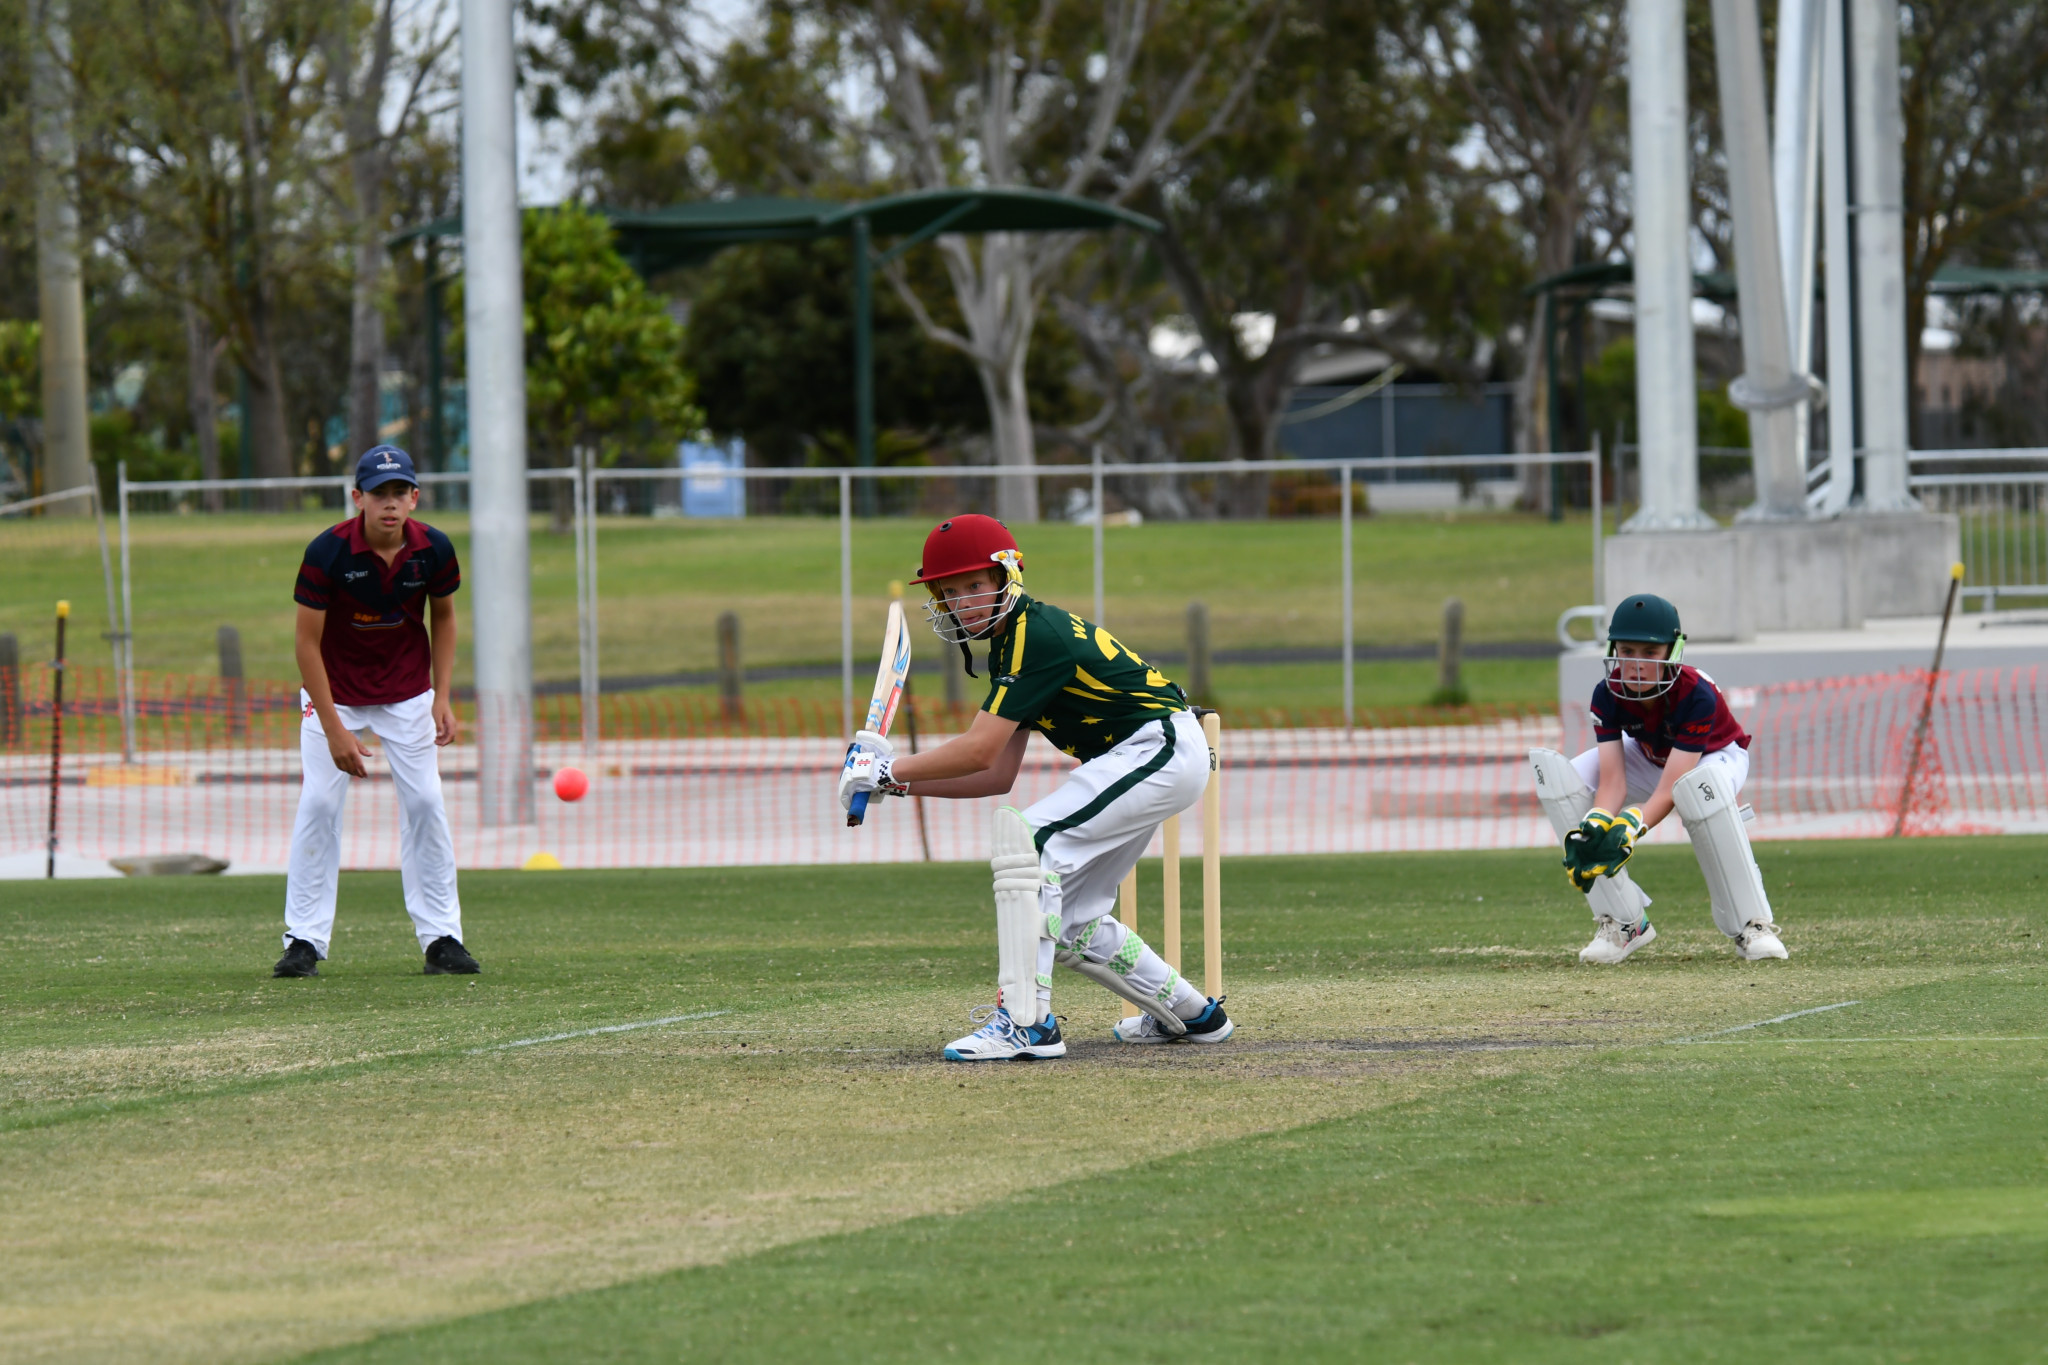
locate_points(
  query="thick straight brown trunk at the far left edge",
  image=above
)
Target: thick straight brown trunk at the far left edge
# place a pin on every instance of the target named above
(62, 294)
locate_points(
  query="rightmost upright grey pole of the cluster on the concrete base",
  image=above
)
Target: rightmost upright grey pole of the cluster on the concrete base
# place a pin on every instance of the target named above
(1881, 259)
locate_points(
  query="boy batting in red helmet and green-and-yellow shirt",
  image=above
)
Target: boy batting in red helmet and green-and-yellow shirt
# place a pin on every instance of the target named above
(1060, 863)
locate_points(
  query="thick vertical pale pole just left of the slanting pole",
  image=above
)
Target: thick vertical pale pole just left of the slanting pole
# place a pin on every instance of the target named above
(1668, 404)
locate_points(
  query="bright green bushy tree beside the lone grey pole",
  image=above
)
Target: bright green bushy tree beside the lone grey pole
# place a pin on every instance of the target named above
(603, 355)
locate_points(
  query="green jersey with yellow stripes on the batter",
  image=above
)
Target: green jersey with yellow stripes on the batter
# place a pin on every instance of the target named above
(1074, 680)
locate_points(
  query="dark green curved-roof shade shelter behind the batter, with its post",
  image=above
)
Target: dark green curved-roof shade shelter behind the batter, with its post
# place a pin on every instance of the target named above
(660, 240)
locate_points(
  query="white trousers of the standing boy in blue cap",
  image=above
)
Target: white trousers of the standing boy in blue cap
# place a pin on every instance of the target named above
(425, 848)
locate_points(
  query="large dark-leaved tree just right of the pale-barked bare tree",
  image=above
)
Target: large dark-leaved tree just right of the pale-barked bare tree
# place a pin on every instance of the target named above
(1330, 204)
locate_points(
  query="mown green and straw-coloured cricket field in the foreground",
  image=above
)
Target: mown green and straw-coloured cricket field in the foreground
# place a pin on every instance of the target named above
(1435, 1137)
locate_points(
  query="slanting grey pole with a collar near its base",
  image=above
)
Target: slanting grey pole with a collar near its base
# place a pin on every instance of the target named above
(1770, 386)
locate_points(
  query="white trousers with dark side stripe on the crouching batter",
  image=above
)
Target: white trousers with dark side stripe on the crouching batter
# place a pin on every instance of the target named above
(1097, 826)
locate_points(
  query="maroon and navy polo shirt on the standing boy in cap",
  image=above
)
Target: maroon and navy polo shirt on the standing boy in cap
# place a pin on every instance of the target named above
(376, 642)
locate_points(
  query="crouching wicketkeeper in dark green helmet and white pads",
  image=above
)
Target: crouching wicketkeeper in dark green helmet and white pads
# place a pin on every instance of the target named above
(1666, 742)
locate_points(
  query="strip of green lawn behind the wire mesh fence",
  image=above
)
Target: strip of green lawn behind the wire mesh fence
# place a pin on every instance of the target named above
(665, 582)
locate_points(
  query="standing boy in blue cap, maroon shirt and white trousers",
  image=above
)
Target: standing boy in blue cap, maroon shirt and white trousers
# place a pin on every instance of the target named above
(370, 664)
